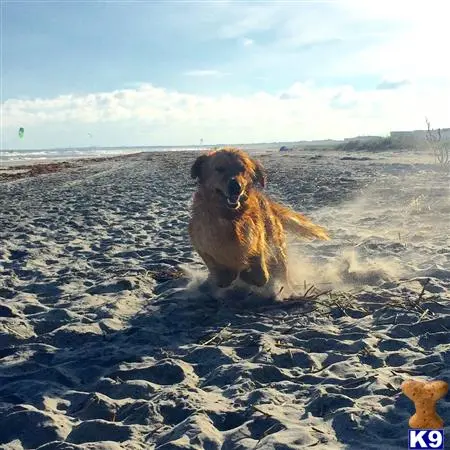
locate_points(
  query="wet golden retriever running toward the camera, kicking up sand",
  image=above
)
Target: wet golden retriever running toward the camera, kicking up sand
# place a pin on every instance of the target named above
(237, 229)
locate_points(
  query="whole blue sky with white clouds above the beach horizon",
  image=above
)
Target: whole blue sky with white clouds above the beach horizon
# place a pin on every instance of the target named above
(168, 73)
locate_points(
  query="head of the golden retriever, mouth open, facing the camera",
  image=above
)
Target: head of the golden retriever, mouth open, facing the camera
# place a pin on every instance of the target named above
(228, 174)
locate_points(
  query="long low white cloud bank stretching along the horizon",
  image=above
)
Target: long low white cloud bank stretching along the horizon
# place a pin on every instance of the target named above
(155, 116)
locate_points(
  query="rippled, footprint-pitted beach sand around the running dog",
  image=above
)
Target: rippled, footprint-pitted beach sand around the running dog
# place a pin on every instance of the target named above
(108, 341)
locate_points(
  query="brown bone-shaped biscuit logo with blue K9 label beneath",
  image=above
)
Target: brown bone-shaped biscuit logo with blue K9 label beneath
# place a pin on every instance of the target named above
(426, 427)
